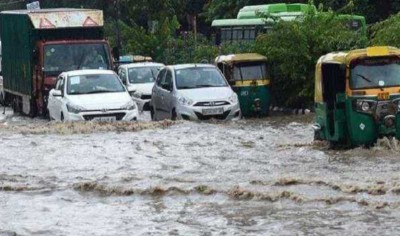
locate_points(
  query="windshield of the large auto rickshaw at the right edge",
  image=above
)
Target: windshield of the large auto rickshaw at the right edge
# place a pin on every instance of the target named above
(375, 72)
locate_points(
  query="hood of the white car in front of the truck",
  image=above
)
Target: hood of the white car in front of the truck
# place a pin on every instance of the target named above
(100, 100)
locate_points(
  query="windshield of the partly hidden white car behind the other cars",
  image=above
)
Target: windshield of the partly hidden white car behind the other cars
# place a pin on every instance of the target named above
(141, 75)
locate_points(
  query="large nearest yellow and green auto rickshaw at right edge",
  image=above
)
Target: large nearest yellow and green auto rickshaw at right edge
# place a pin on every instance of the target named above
(357, 96)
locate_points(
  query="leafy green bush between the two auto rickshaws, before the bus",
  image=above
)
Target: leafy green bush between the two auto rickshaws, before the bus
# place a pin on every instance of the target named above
(294, 48)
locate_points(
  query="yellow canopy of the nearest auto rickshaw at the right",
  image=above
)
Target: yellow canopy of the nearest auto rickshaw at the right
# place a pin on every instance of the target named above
(345, 58)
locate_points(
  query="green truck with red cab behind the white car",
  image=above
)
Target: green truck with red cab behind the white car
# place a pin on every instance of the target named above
(38, 45)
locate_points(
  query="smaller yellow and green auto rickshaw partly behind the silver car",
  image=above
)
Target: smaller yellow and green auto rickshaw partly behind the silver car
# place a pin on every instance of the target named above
(249, 77)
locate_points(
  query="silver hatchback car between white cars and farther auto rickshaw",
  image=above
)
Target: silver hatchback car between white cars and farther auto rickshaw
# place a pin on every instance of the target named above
(193, 92)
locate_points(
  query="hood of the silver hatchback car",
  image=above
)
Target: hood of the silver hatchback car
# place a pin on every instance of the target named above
(207, 94)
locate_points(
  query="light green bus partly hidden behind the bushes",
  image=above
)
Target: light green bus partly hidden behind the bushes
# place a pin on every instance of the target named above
(248, 24)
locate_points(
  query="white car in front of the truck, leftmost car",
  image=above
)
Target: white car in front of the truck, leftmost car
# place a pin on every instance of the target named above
(96, 95)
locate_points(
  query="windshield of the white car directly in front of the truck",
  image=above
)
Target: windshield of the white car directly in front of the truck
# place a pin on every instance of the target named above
(89, 84)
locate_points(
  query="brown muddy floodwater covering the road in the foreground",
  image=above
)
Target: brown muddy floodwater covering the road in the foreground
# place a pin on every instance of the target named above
(250, 177)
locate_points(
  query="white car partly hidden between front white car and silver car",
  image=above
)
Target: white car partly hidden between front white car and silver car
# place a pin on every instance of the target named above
(139, 79)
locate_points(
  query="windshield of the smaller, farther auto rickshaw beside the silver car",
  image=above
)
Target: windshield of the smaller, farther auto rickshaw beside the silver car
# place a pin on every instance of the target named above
(250, 71)
